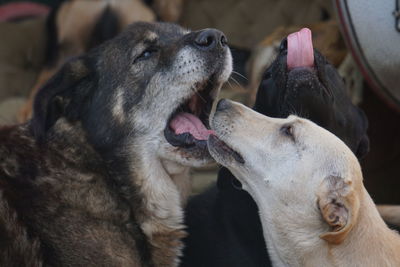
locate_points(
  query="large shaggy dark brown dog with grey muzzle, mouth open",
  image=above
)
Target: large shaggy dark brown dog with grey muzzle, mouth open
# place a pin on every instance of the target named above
(99, 174)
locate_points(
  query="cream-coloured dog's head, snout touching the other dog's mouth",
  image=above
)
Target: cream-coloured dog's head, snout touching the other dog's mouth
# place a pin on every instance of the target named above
(305, 180)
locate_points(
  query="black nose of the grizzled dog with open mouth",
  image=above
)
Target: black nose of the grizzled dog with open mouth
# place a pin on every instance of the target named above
(209, 39)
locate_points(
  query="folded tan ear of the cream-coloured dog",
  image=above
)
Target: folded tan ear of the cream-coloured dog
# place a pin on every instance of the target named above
(339, 207)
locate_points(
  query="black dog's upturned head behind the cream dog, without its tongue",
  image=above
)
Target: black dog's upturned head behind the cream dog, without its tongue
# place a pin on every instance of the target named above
(314, 92)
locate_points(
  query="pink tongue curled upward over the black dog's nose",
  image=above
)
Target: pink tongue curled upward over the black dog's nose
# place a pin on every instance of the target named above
(300, 49)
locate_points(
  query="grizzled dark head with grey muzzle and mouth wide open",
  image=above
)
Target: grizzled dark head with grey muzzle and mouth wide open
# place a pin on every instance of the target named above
(150, 88)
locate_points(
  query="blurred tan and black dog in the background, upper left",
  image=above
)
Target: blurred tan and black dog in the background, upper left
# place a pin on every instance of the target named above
(74, 27)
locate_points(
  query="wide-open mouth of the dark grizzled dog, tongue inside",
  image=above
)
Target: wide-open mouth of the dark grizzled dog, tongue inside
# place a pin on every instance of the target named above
(188, 126)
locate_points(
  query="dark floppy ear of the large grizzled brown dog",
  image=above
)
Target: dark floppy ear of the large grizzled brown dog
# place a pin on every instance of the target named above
(69, 85)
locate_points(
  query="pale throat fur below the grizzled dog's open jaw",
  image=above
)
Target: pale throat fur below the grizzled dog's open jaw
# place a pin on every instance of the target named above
(164, 186)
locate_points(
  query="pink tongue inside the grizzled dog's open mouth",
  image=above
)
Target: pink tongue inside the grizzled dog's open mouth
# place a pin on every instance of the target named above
(188, 123)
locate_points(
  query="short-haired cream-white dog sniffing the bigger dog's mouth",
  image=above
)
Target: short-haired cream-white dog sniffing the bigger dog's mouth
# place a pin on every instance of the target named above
(308, 186)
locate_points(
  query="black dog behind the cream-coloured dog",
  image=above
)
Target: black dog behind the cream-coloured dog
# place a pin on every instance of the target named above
(223, 222)
